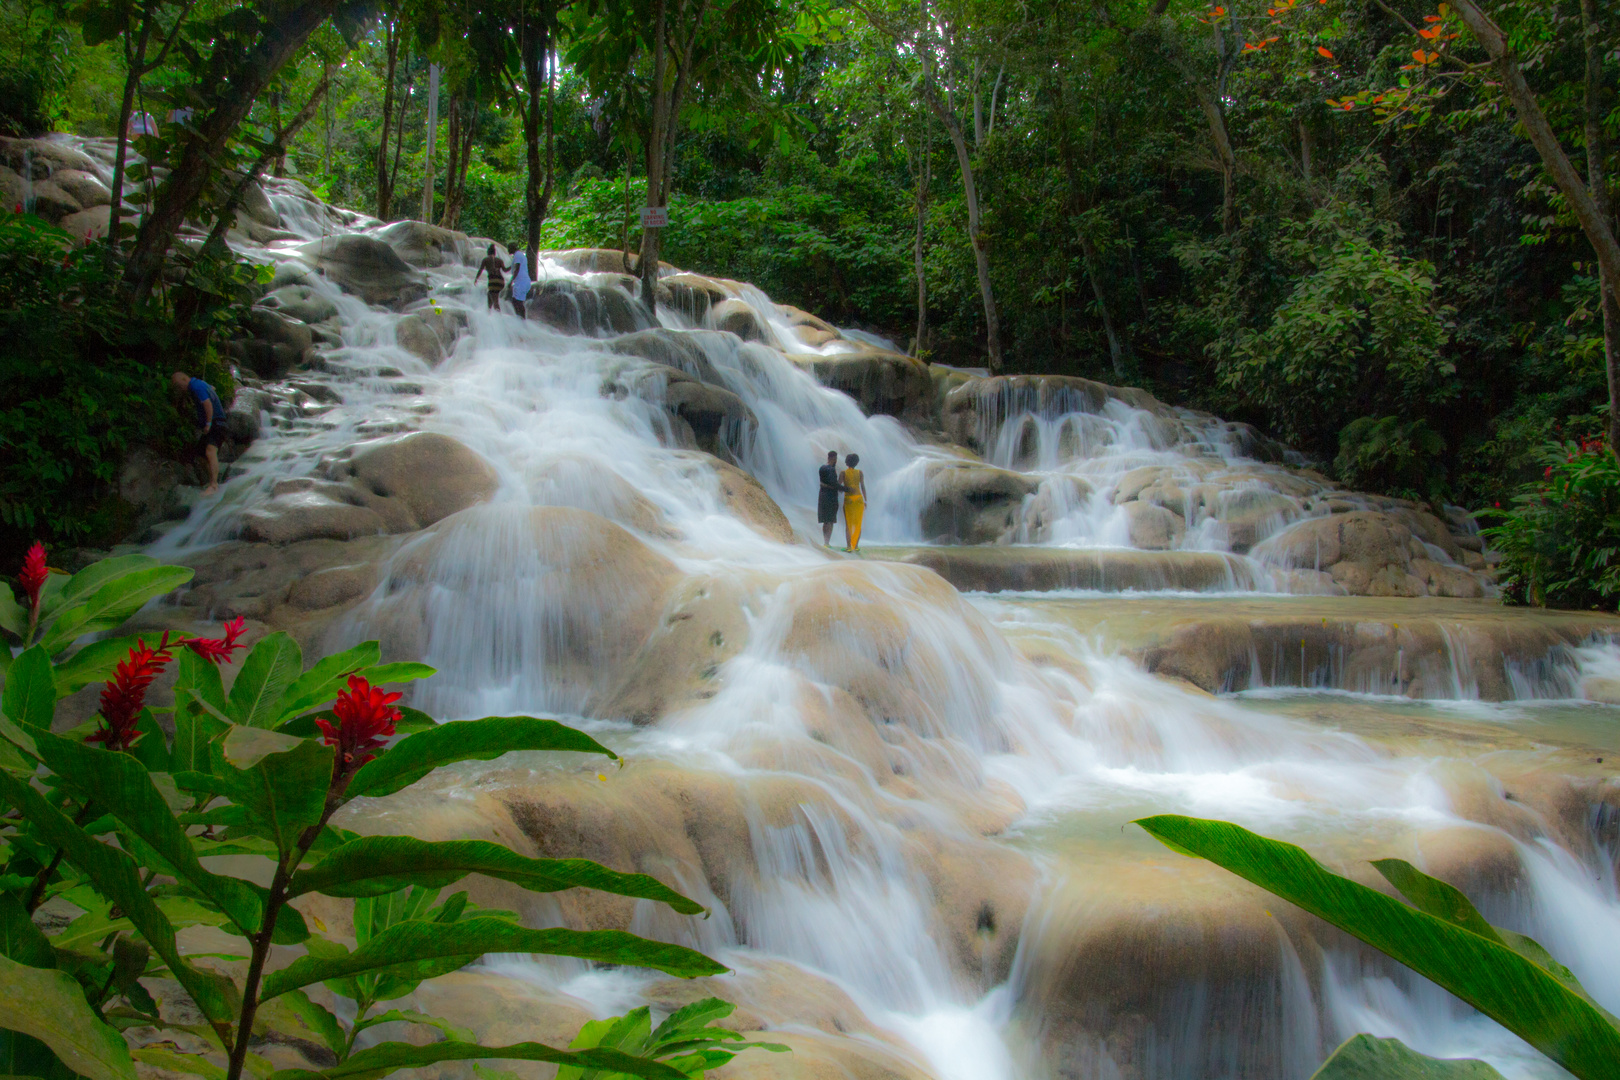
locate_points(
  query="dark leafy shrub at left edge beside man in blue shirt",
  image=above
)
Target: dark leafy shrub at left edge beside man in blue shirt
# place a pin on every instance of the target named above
(83, 380)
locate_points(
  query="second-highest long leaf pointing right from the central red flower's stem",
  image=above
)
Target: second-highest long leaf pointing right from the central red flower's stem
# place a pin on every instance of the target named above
(383, 864)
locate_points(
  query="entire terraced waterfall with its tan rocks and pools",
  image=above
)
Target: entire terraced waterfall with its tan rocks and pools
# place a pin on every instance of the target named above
(902, 781)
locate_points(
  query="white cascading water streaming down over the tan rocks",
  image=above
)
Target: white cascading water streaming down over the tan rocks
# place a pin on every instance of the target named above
(874, 720)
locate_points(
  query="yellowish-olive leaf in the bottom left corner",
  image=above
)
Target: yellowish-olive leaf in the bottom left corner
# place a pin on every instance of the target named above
(51, 1006)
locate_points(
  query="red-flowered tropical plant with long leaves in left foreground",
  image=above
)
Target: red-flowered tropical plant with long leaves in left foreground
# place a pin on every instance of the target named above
(113, 820)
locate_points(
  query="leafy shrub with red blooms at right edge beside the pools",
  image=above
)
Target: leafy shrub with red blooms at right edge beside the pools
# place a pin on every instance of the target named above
(1561, 538)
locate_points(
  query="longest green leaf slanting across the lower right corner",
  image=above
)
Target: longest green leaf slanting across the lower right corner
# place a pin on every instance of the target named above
(1512, 990)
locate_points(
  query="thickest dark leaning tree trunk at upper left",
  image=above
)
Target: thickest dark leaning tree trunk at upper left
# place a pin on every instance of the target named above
(242, 87)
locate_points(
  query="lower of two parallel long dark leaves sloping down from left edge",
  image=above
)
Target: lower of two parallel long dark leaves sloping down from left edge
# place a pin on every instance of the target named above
(119, 880)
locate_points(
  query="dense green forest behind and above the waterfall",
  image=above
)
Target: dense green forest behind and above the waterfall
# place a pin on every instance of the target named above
(1329, 219)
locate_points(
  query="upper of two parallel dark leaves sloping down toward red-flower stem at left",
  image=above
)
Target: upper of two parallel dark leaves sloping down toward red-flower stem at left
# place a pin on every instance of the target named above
(126, 789)
